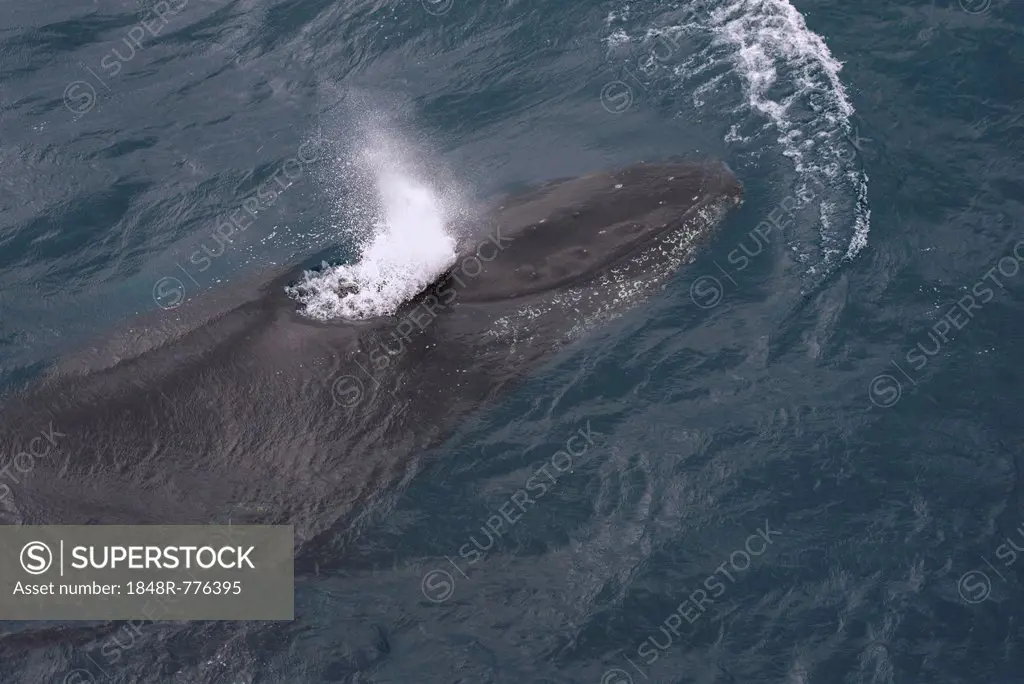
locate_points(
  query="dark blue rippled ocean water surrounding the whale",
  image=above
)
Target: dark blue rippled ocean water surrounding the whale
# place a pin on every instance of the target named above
(802, 460)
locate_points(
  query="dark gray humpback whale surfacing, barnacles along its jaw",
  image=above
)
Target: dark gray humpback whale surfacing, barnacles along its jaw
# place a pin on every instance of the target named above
(265, 415)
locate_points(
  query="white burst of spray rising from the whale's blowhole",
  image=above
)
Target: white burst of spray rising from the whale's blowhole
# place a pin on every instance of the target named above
(401, 253)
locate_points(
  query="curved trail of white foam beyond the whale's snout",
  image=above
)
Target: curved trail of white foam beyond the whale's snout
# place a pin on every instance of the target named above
(791, 81)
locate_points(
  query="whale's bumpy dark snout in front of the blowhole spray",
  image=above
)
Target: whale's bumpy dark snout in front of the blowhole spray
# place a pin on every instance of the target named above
(603, 237)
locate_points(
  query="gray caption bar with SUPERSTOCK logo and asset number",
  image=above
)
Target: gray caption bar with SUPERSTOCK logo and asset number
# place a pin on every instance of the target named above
(147, 573)
